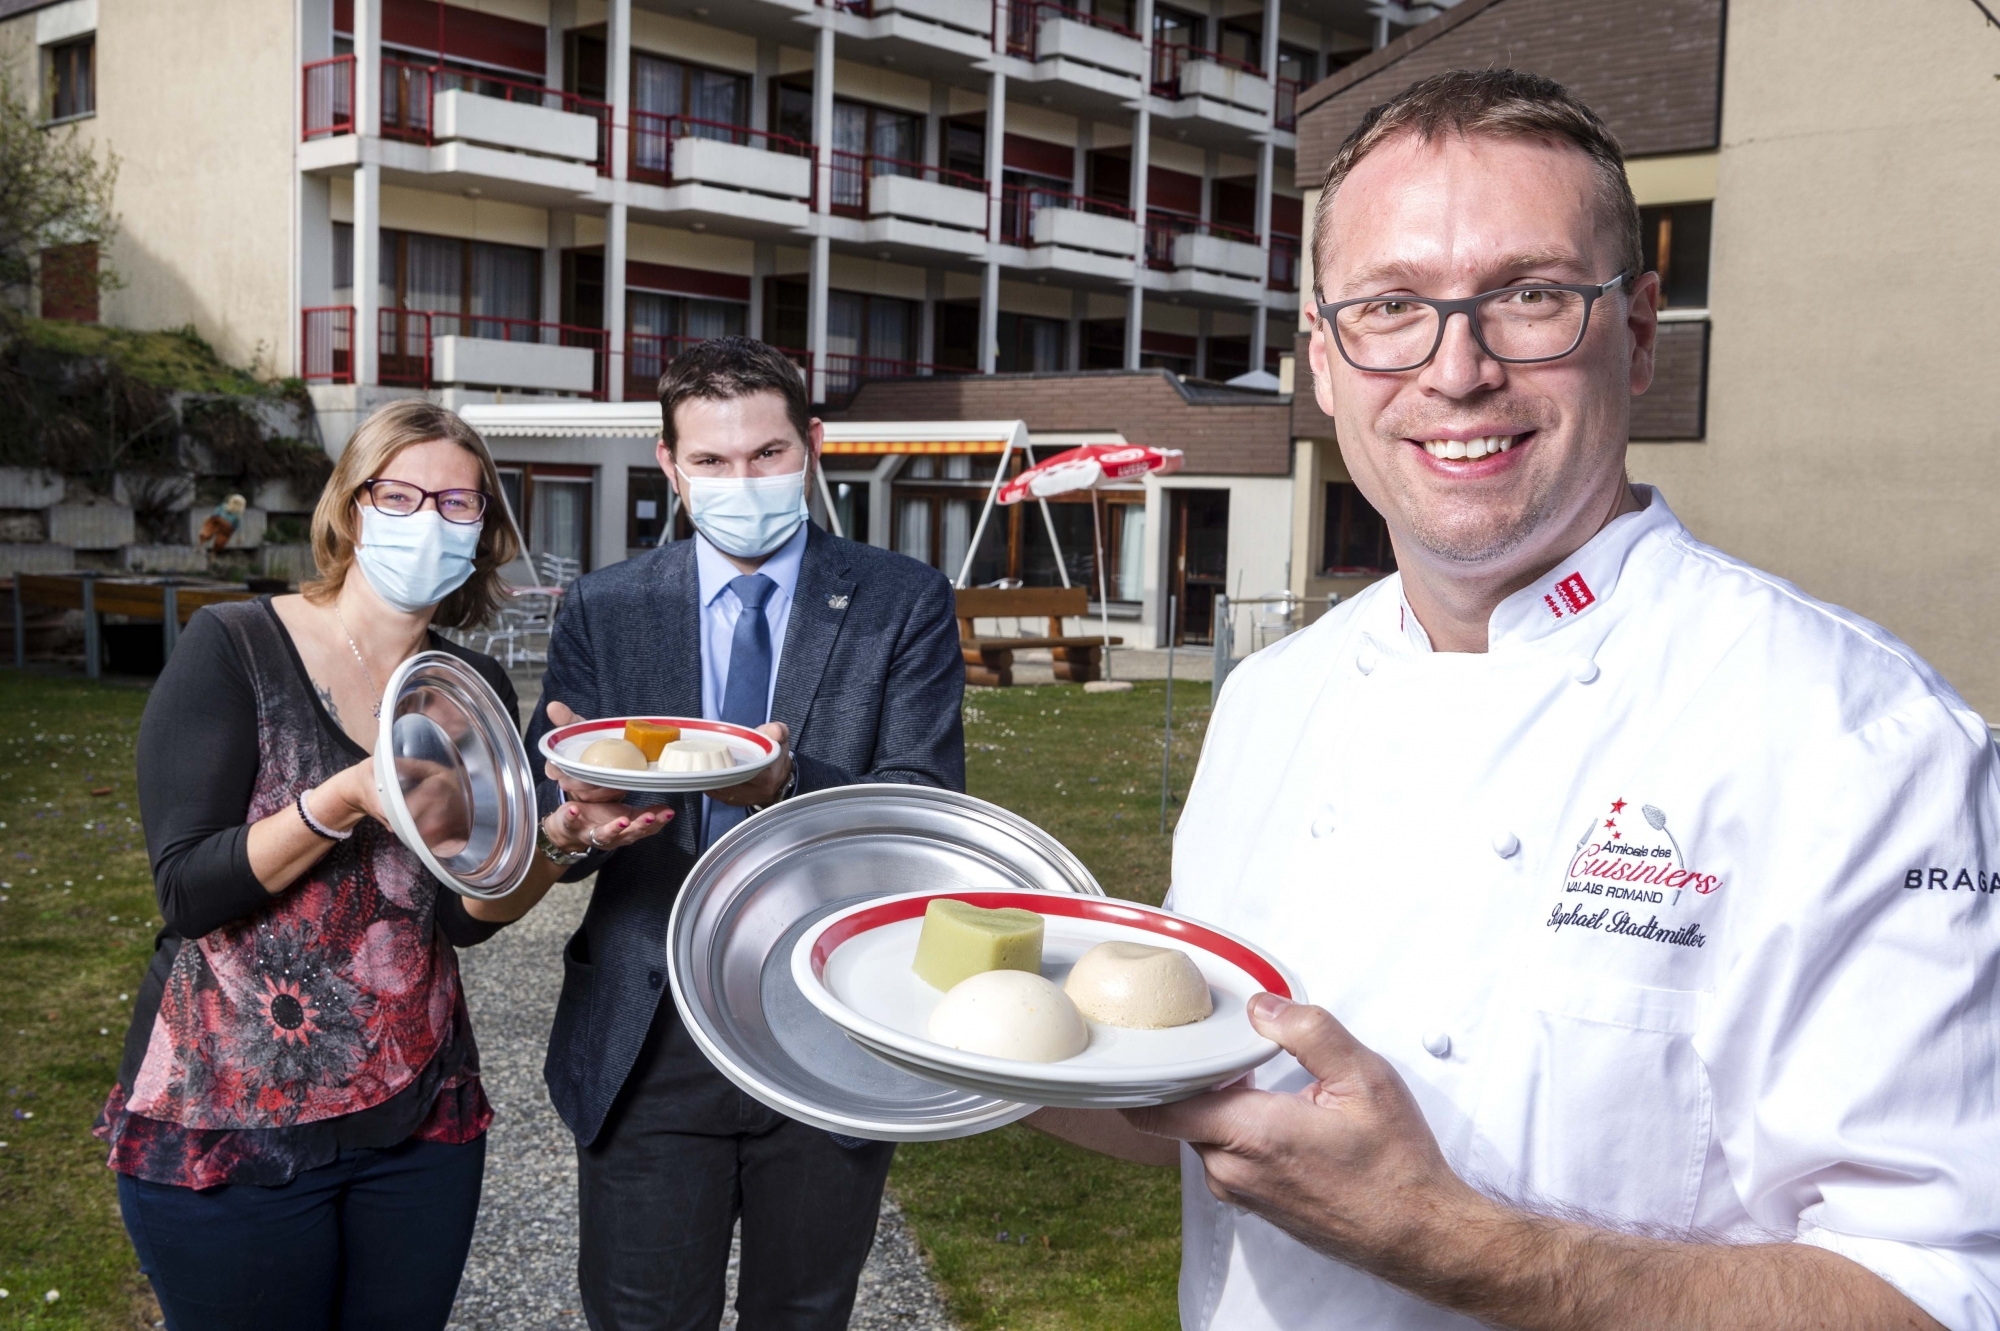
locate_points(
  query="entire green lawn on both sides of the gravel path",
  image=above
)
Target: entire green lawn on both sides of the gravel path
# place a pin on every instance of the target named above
(77, 920)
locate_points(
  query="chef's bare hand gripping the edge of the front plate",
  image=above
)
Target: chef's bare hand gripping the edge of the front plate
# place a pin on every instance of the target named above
(1347, 1166)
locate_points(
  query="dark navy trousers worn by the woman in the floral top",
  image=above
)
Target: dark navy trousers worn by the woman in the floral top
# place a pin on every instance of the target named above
(375, 1240)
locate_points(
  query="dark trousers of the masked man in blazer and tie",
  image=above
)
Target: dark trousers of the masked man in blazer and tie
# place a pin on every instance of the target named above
(677, 1164)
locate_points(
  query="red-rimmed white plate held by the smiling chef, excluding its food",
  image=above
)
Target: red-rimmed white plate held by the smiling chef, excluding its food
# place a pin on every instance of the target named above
(855, 966)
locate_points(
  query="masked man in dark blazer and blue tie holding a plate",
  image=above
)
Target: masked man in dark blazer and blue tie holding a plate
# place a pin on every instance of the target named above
(849, 657)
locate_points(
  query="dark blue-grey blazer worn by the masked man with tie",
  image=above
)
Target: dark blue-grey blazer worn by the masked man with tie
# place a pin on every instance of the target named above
(871, 684)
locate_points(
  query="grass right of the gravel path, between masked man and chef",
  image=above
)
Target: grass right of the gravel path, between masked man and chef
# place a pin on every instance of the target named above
(1103, 1238)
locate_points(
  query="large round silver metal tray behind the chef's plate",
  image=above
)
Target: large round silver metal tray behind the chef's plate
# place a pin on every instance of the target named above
(771, 878)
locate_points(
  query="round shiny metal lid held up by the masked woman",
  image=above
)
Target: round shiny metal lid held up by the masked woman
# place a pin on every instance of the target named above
(455, 776)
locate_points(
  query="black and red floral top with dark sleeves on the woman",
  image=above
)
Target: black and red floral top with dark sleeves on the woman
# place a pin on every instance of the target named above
(277, 1030)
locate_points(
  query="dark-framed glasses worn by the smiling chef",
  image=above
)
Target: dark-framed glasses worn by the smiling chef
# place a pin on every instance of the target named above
(1517, 325)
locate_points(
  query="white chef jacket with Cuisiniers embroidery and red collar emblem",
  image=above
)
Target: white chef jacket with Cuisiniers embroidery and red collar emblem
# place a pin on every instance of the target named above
(1677, 908)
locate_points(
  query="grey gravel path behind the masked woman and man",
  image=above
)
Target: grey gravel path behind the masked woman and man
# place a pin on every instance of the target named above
(523, 1270)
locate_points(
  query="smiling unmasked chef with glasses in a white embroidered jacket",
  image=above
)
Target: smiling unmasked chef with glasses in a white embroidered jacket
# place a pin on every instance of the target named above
(1649, 908)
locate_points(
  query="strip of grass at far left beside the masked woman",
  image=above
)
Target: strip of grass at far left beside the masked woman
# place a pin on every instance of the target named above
(77, 920)
